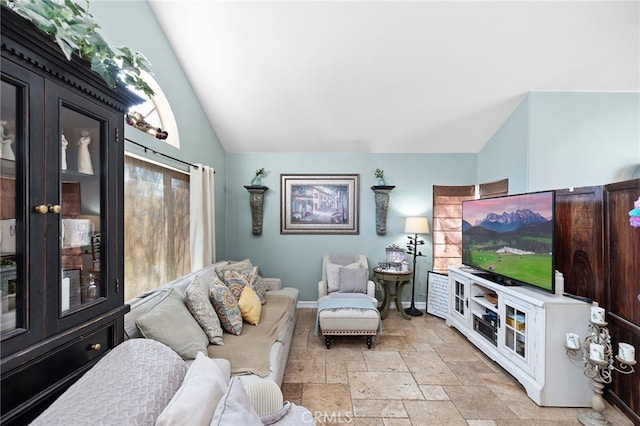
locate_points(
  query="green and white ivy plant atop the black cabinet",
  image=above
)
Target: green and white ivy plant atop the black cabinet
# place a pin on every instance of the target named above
(75, 31)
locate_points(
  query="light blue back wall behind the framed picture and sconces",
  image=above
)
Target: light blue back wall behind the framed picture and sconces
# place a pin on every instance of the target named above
(297, 259)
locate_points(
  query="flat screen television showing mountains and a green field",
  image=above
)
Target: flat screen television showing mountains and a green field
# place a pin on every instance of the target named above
(510, 239)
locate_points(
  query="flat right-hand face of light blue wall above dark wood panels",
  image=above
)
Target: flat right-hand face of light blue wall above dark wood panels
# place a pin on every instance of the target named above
(583, 139)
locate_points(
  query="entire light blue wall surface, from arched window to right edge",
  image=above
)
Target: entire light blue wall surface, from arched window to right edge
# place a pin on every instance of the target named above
(552, 140)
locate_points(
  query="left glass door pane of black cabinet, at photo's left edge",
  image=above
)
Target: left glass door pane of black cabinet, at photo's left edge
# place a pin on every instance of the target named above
(11, 308)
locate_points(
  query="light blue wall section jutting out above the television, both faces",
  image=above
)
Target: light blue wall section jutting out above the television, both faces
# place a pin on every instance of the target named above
(556, 140)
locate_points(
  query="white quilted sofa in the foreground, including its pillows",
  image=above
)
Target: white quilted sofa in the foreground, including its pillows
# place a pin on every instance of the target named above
(143, 382)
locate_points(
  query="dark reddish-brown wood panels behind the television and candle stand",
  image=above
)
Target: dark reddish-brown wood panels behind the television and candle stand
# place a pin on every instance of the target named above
(598, 251)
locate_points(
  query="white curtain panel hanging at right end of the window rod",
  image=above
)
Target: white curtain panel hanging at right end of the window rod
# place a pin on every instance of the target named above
(203, 217)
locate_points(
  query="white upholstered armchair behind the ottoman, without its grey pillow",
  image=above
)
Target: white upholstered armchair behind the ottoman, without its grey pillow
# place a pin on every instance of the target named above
(330, 281)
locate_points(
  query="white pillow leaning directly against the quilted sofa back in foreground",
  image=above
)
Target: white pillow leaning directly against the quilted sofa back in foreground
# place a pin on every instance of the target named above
(191, 404)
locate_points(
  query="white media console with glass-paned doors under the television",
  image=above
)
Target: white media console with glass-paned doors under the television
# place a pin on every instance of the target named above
(523, 329)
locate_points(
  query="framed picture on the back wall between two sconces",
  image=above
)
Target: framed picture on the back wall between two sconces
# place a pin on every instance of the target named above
(319, 204)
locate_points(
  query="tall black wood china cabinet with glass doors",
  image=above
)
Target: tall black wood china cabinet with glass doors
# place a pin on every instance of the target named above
(62, 190)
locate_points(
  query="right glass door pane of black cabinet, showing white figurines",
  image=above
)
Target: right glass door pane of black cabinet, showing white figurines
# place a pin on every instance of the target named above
(81, 206)
